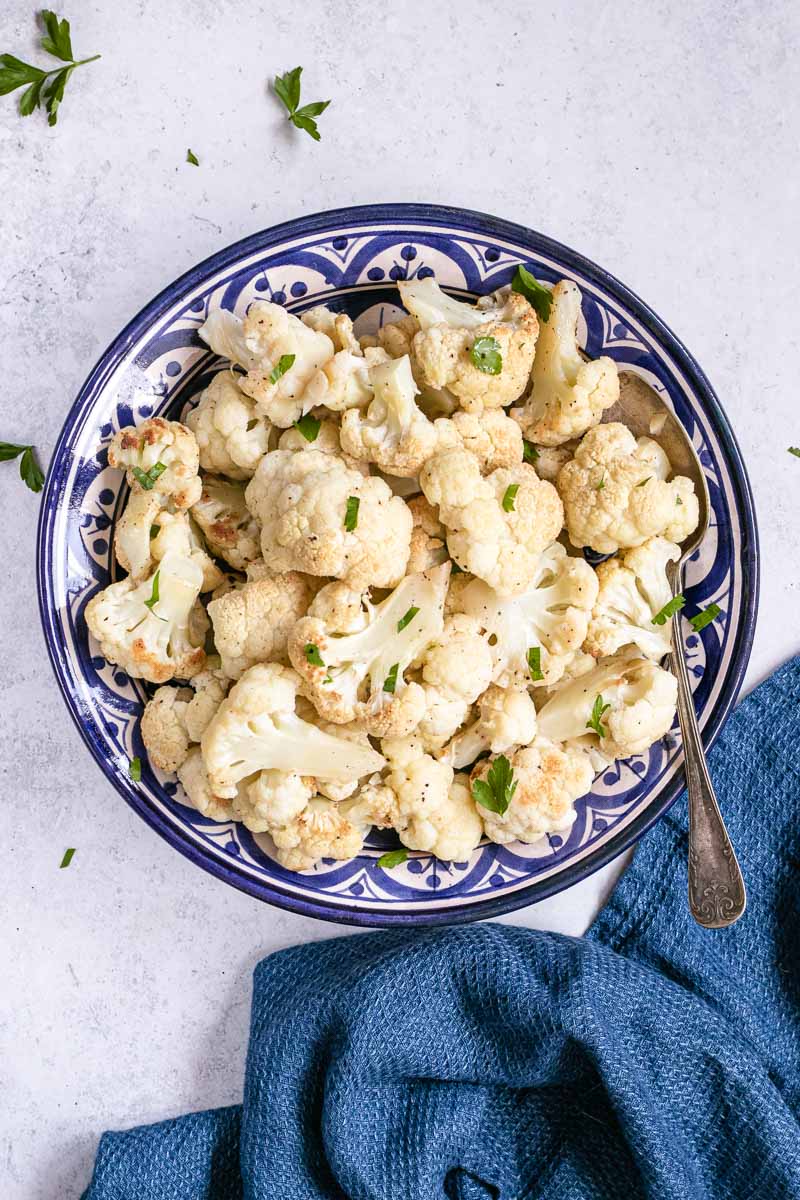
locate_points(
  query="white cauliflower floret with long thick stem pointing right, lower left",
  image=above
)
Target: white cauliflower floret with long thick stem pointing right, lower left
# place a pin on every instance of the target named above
(257, 729)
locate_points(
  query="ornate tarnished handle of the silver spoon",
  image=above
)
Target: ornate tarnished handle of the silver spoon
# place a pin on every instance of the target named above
(717, 890)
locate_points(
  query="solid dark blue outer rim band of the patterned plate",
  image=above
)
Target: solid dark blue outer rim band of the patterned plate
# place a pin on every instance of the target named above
(448, 218)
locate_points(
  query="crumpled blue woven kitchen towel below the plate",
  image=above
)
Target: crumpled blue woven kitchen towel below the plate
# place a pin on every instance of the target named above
(651, 1059)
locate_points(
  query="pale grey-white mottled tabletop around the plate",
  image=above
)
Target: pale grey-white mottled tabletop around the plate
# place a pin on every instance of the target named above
(660, 140)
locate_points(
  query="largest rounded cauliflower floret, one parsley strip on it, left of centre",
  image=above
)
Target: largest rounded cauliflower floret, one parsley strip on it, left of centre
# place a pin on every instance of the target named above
(303, 502)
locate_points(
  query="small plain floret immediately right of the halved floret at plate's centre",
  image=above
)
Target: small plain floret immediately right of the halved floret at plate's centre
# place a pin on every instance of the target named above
(456, 669)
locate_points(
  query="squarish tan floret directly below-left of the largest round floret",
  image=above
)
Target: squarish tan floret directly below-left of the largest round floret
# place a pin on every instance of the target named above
(252, 623)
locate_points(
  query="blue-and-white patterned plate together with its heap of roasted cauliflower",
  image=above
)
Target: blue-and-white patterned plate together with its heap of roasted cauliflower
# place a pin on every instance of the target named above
(357, 590)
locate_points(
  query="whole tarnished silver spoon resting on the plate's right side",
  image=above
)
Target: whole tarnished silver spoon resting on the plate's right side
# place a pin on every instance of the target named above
(717, 890)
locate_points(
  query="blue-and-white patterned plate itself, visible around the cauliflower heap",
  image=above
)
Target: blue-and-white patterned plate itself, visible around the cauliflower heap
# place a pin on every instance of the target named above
(352, 260)
